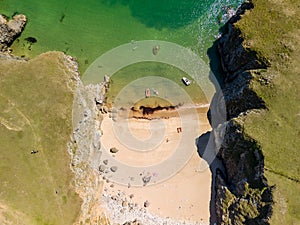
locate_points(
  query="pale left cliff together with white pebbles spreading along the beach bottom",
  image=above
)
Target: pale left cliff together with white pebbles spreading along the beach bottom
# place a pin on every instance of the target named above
(90, 168)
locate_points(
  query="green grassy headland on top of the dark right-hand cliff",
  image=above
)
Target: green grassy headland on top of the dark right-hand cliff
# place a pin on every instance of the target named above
(272, 29)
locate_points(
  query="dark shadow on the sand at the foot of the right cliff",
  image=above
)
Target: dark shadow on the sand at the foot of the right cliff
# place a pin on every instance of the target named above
(206, 150)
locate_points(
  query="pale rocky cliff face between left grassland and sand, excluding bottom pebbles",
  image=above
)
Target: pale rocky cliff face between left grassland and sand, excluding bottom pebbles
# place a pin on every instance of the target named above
(85, 147)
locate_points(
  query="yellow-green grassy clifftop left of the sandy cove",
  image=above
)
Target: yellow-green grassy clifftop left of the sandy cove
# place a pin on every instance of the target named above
(35, 114)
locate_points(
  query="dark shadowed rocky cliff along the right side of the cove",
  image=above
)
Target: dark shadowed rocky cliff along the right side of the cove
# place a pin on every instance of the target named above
(243, 195)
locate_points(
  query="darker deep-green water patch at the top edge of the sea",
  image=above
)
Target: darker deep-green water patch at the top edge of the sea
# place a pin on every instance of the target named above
(164, 13)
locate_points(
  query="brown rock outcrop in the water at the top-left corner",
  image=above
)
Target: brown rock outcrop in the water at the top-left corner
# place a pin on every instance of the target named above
(10, 30)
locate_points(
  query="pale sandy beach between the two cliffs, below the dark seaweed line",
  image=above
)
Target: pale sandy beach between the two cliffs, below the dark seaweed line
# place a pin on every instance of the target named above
(176, 191)
